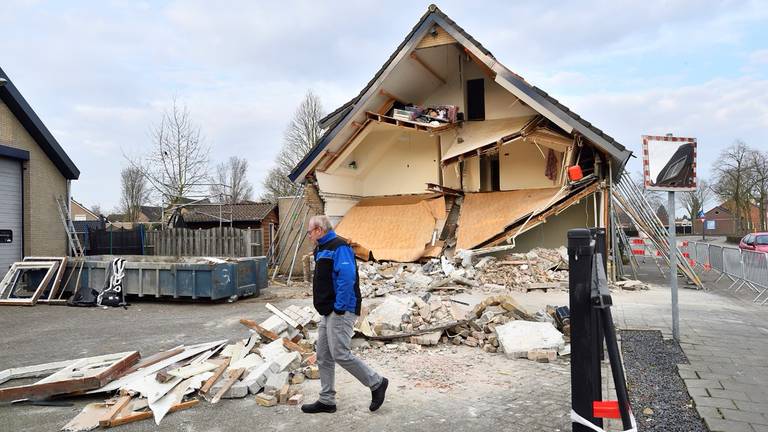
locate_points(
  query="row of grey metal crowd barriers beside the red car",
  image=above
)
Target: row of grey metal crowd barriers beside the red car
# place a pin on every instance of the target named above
(741, 267)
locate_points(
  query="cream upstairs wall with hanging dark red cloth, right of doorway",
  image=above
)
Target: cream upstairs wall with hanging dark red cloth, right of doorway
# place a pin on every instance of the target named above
(522, 166)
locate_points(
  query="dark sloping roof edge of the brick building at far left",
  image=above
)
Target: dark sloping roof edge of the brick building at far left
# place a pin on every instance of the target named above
(11, 96)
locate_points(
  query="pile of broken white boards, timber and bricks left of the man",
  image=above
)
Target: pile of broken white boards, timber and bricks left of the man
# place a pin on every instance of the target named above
(271, 364)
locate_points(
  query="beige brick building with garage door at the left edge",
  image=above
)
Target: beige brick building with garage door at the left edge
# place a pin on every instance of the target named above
(34, 171)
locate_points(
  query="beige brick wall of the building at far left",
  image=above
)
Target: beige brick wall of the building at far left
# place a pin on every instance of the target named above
(43, 232)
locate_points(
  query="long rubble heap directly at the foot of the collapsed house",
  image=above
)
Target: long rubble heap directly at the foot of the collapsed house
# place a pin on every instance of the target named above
(538, 269)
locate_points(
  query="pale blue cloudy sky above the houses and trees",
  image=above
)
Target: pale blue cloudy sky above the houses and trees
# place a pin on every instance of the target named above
(100, 73)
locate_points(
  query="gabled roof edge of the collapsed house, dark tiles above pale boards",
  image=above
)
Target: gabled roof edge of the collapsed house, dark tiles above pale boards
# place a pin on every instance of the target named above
(538, 99)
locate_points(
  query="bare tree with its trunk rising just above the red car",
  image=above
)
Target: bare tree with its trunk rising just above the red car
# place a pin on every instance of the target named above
(731, 181)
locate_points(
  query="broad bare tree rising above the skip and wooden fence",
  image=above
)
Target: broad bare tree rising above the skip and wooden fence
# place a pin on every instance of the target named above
(177, 164)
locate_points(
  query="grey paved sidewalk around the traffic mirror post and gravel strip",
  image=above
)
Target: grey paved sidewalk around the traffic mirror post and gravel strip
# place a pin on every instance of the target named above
(725, 337)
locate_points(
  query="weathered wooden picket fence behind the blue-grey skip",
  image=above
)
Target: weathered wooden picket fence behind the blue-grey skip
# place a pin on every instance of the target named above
(223, 242)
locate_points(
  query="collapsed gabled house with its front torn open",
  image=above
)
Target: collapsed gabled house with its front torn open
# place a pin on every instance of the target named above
(446, 149)
